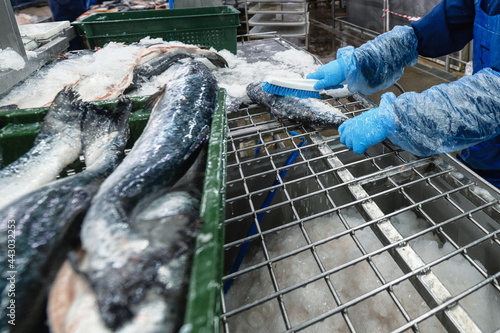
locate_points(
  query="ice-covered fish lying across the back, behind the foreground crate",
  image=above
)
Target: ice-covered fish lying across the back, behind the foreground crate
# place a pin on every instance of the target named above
(106, 73)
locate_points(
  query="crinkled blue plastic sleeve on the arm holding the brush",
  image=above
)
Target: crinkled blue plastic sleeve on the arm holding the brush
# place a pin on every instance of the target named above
(379, 63)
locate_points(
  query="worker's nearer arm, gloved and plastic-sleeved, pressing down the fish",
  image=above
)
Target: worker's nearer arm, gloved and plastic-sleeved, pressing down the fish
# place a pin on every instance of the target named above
(444, 118)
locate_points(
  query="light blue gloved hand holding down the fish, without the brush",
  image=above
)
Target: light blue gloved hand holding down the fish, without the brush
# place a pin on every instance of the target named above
(367, 129)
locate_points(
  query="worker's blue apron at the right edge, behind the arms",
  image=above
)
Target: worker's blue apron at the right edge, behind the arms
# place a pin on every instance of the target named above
(484, 158)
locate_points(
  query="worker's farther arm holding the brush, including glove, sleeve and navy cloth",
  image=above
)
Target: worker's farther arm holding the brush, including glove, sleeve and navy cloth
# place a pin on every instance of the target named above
(378, 64)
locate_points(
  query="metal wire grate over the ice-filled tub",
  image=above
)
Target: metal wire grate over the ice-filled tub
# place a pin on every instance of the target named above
(378, 242)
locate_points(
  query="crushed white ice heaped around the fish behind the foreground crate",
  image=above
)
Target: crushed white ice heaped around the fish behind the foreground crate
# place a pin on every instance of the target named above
(114, 60)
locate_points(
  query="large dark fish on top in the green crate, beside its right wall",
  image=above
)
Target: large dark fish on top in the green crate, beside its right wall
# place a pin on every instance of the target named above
(117, 254)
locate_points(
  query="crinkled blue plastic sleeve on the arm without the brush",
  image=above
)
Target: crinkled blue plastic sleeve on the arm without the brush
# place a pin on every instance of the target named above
(448, 117)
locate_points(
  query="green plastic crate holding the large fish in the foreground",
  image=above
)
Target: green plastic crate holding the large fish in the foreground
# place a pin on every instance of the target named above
(203, 306)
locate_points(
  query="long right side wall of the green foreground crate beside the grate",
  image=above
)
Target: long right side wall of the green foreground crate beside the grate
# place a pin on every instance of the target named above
(204, 304)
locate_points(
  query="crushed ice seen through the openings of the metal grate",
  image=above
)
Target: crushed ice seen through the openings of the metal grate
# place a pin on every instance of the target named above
(374, 314)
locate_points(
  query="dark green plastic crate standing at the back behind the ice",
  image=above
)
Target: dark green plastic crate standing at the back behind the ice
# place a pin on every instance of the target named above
(208, 26)
